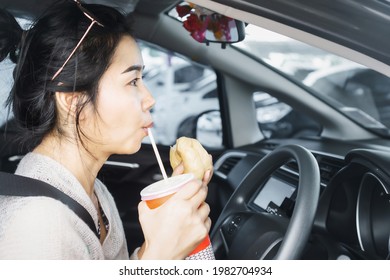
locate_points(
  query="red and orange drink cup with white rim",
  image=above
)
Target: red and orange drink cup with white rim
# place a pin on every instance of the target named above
(157, 193)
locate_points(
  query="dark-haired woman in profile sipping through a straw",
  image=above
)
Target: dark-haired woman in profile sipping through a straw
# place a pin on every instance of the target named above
(79, 94)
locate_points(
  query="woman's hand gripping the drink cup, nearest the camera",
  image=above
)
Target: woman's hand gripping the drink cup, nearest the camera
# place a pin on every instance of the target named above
(175, 228)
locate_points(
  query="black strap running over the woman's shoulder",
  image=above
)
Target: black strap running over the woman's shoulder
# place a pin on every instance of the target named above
(16, 185)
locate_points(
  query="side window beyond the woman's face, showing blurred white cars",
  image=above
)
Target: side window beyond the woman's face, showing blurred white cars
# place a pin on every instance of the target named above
(183, 90)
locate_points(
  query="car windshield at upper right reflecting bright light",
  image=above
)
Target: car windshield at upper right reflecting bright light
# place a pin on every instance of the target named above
(355, 90)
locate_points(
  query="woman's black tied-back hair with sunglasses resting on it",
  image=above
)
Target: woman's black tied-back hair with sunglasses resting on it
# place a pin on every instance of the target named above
(40, 51)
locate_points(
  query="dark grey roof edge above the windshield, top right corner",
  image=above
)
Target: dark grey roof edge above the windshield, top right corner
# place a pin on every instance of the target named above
(361, 25)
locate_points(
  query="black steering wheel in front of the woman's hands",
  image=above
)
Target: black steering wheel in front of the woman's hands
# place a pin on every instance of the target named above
(242, 233)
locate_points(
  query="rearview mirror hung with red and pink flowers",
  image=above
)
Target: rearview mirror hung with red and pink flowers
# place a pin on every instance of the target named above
(207, 26)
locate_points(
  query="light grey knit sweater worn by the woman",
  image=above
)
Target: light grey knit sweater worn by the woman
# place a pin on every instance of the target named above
(44, 228)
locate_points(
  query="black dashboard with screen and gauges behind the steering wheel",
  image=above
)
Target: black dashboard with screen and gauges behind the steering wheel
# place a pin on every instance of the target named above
(353, 214)
